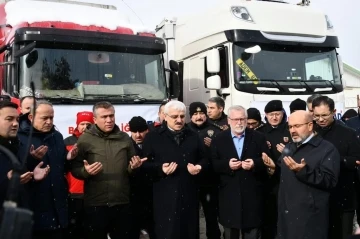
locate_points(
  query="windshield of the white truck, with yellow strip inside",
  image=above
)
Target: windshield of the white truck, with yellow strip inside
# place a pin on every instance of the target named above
(284, 67)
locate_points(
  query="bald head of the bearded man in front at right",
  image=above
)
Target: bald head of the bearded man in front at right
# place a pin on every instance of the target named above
(300, 125)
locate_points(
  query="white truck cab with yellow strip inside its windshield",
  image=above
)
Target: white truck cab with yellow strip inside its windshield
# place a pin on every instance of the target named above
(251, 52)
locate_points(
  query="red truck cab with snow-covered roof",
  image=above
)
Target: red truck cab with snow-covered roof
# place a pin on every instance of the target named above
(78, 54)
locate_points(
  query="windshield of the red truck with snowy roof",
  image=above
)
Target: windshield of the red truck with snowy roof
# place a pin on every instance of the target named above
(85, 75)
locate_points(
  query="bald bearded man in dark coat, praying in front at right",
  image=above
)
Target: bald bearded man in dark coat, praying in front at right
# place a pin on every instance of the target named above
(309, 169)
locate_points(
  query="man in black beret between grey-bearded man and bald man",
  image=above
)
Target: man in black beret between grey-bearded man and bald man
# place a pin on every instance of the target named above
(277, 135)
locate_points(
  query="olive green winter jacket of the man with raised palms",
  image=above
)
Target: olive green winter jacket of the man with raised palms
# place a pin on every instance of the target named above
(114, 151)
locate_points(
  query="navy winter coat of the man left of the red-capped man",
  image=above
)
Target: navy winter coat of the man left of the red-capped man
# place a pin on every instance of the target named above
(48, 197)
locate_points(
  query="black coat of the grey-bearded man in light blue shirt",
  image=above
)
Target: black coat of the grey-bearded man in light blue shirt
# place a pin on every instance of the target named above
(241, 194)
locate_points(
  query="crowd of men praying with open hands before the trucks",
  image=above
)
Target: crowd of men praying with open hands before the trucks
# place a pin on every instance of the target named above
(286, 177)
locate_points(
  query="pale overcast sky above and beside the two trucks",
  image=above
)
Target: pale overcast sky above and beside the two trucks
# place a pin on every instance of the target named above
(151, 12)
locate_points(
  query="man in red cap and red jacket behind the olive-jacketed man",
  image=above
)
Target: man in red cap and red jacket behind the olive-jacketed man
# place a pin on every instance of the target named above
(76, 186)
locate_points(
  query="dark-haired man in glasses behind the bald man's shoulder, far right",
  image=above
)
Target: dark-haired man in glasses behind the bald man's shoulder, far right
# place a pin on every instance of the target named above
(343, 198)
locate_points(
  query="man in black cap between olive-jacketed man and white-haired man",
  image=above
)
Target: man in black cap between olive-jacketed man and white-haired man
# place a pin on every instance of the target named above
(140, 184)
